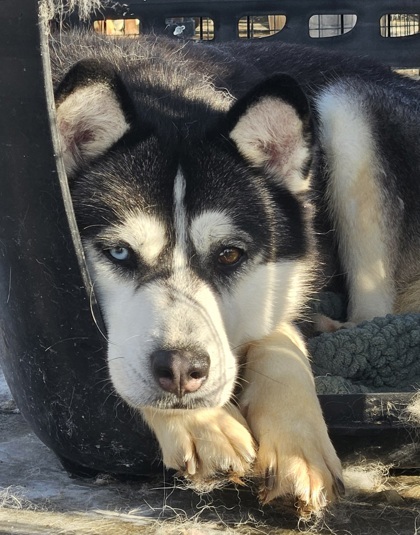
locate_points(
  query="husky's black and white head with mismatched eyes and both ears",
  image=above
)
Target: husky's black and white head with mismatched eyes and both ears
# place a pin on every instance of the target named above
(198, 245)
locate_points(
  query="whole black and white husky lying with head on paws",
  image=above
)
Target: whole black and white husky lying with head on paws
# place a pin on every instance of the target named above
(214, 187)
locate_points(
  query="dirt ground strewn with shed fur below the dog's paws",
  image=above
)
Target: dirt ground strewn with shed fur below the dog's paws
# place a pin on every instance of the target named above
(37, 496)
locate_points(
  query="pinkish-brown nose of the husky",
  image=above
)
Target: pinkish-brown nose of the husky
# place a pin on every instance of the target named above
(180, 371)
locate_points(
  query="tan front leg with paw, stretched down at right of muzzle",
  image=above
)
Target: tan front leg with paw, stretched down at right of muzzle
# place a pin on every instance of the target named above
(295, 455)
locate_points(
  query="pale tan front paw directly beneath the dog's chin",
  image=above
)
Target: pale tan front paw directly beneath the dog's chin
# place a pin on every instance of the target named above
(207, 446)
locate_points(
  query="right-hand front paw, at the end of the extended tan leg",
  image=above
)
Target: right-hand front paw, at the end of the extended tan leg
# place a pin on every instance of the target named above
(300, 463)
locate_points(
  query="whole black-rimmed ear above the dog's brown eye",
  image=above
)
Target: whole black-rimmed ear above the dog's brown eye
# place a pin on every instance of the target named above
(272, 129)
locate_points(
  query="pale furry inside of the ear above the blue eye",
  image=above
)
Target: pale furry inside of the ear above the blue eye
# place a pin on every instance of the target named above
(90, 120)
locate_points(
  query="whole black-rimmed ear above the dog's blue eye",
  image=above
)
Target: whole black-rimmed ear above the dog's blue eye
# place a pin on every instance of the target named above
(93, 112)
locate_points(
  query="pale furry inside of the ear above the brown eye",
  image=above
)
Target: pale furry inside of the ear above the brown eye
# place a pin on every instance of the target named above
(270, 134)
